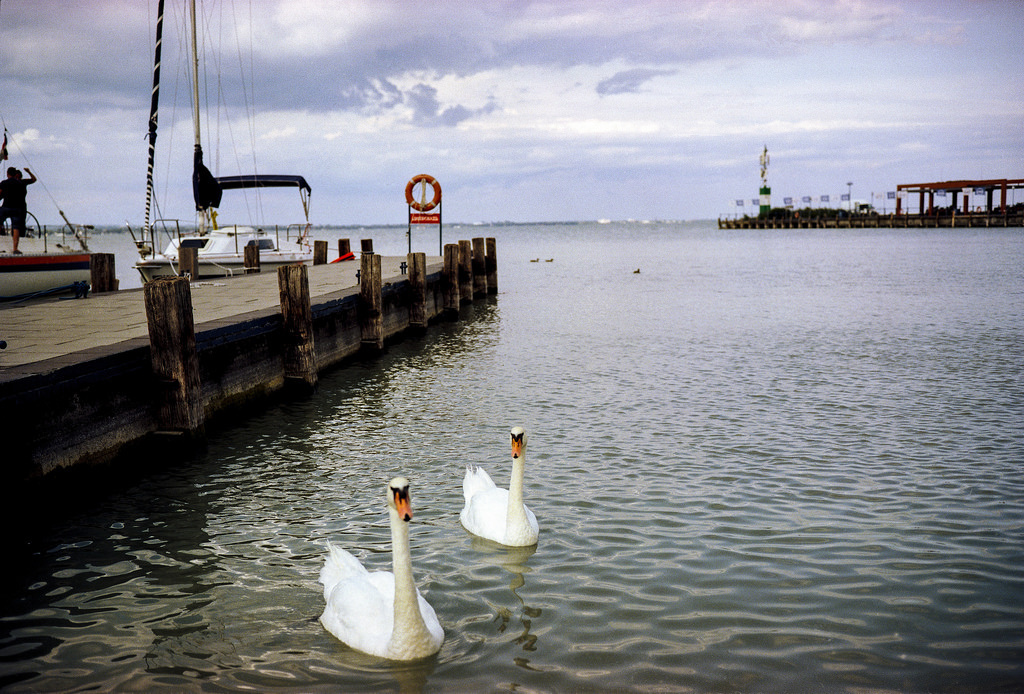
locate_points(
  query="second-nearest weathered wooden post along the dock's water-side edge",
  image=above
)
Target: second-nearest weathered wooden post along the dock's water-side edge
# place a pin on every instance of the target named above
(300, 356)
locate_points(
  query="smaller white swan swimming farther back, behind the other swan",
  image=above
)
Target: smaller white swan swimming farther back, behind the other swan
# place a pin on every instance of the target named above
(499, 514)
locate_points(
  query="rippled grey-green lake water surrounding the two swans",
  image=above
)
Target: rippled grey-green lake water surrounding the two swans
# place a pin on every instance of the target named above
(774, 461)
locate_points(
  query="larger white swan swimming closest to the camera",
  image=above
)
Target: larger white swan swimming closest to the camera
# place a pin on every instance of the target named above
(380, 613)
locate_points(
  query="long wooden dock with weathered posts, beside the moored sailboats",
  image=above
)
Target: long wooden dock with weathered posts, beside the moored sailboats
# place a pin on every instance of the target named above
(90, 380)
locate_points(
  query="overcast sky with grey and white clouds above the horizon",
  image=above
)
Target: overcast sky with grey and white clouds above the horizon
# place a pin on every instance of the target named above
(550, 111)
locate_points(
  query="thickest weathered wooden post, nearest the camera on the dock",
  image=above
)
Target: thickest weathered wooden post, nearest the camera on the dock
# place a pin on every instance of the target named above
(173, 356)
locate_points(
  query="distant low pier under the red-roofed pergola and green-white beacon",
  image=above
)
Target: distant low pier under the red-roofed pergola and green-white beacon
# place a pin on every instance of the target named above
(877, 222)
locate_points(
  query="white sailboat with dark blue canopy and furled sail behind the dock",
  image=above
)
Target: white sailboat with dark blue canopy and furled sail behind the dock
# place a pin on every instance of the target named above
(221, 248)
